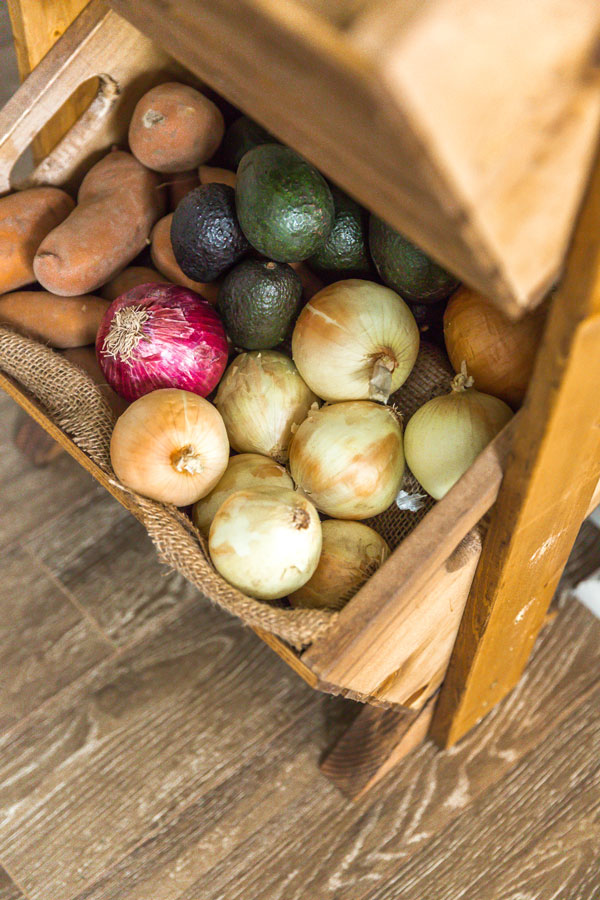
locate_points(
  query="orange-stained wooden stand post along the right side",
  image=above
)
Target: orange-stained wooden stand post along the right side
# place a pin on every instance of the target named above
(547, 488)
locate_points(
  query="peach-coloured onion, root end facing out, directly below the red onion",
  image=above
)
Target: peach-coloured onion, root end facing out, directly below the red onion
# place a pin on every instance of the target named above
(171, 446)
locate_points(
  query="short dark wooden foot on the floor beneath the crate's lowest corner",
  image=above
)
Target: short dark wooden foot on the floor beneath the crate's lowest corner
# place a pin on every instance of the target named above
(375, 742)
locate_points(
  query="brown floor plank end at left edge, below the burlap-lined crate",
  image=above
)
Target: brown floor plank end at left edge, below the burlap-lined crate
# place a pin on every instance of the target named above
(45, 644)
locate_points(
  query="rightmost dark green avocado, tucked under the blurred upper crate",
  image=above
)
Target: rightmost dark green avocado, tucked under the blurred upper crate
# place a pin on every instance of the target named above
(406, 268)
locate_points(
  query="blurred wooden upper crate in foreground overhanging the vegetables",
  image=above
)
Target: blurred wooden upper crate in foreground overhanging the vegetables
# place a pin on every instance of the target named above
(411, 108)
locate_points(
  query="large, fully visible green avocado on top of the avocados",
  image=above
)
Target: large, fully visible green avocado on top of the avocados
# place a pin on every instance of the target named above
(284, 204)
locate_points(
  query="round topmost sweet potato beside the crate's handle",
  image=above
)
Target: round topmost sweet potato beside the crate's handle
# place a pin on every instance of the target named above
(174, 128)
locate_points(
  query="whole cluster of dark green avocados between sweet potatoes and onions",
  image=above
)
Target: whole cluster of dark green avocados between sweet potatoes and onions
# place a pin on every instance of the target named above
(283, 211)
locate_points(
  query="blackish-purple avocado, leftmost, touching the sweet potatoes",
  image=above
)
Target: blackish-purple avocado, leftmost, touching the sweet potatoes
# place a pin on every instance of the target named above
(205, 233)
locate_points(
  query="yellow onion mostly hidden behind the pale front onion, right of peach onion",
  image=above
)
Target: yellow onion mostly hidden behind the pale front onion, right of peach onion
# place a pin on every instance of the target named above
(247, 470)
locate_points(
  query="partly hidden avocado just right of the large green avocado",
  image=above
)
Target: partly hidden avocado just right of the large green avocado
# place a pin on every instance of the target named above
(345, 252)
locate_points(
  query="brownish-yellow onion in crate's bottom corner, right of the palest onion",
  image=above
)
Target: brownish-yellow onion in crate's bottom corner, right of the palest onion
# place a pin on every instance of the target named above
(351, 553)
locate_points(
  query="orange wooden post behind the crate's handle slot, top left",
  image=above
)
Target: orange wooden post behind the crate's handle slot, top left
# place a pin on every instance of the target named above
(36, 28)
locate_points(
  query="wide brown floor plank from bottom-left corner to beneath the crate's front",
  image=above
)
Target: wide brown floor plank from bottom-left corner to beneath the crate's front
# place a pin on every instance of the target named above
(122, 751)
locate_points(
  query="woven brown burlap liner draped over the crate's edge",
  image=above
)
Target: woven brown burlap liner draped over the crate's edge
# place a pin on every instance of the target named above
(74, 403)
